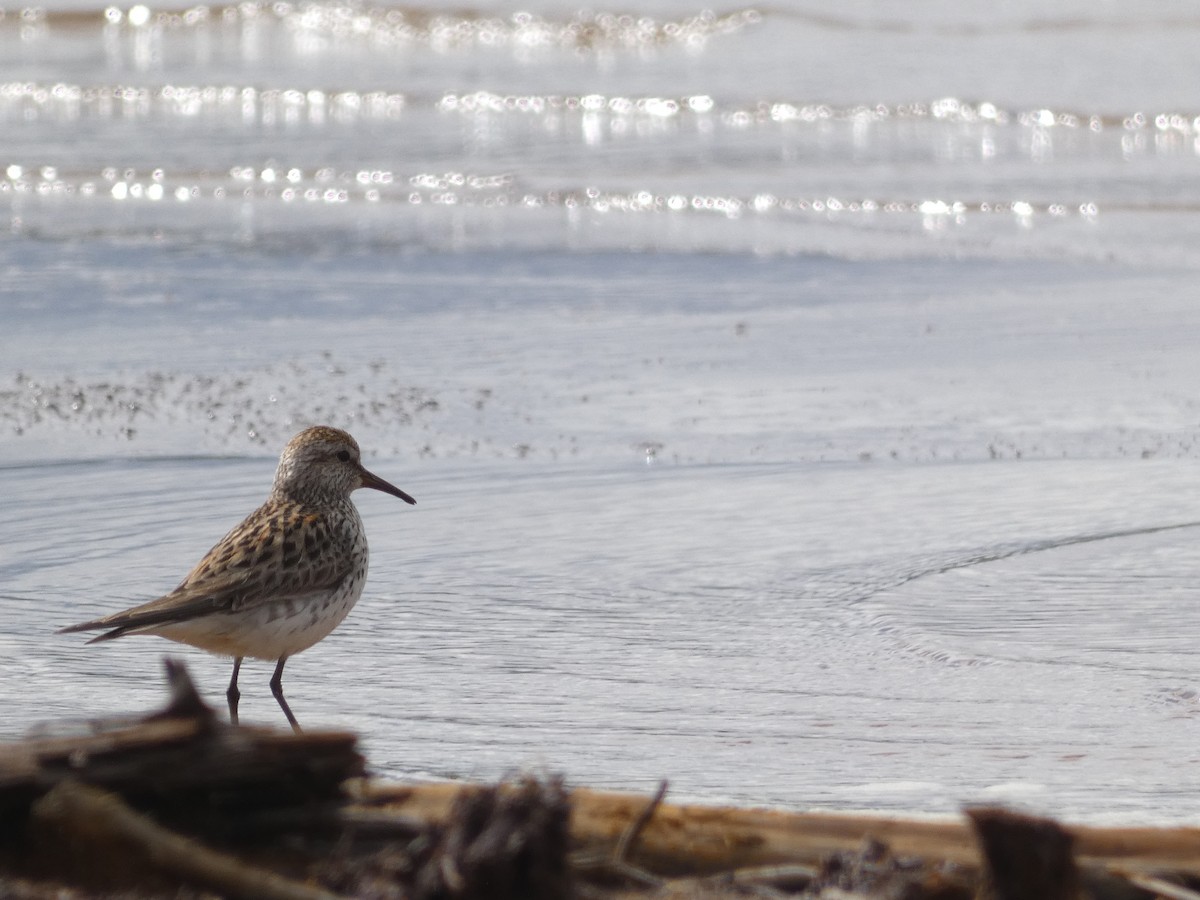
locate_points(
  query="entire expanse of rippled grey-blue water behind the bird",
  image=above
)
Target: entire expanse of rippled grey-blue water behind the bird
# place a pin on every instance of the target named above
(800, 405)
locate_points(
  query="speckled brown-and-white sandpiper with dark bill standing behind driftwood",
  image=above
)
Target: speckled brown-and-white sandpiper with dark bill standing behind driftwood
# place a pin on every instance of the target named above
(280, 581)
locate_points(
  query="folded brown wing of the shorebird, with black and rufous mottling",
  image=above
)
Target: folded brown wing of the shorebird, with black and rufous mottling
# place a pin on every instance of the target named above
(278, 554)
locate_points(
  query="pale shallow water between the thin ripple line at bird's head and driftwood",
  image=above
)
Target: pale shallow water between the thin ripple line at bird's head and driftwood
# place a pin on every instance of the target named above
(761, 634)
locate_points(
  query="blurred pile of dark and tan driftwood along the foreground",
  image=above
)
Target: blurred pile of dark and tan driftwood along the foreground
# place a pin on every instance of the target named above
(183, 802)
